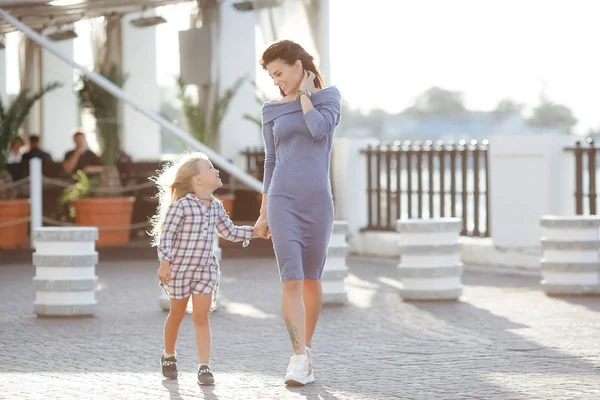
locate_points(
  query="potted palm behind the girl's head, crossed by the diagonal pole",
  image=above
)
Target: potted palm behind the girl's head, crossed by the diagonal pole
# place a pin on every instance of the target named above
(204, 123)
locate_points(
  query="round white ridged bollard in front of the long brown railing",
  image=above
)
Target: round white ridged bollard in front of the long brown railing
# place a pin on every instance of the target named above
(430, 266)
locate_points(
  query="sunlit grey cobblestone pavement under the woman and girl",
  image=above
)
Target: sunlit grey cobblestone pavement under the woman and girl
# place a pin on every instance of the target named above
(503, 340)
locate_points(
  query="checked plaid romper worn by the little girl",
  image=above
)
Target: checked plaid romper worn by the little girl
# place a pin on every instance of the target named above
(187, 241)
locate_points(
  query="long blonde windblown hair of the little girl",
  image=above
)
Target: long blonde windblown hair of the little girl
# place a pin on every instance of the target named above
(173, 183)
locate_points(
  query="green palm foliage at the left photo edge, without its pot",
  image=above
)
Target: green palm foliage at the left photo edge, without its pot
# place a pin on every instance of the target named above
(12, 117)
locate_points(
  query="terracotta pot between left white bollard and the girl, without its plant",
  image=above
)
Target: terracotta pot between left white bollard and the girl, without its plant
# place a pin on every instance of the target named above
(110, 212)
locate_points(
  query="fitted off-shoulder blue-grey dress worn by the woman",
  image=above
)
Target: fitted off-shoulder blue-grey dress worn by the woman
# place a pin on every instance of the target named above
(299, 201)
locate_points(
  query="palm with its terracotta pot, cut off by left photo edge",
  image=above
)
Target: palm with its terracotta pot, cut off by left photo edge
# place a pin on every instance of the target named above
(12, 116)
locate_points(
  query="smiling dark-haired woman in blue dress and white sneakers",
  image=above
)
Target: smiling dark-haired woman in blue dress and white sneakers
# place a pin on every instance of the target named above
(297, 204)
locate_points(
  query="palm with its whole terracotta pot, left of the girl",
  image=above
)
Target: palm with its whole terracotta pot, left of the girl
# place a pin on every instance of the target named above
(98, 202)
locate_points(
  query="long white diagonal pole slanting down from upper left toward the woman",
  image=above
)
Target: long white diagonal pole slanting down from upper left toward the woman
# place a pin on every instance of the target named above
(116, 91)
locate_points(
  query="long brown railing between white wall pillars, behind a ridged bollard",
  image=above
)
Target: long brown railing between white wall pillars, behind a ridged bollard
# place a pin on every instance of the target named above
(428, 180)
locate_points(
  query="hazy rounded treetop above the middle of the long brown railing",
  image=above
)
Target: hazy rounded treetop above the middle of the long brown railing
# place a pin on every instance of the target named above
(437, 102)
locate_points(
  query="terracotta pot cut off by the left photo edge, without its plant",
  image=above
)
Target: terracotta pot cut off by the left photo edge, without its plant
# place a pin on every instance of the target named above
(13, 236)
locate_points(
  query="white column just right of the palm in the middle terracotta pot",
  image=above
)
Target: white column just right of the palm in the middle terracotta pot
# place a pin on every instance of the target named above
(139, 64)
